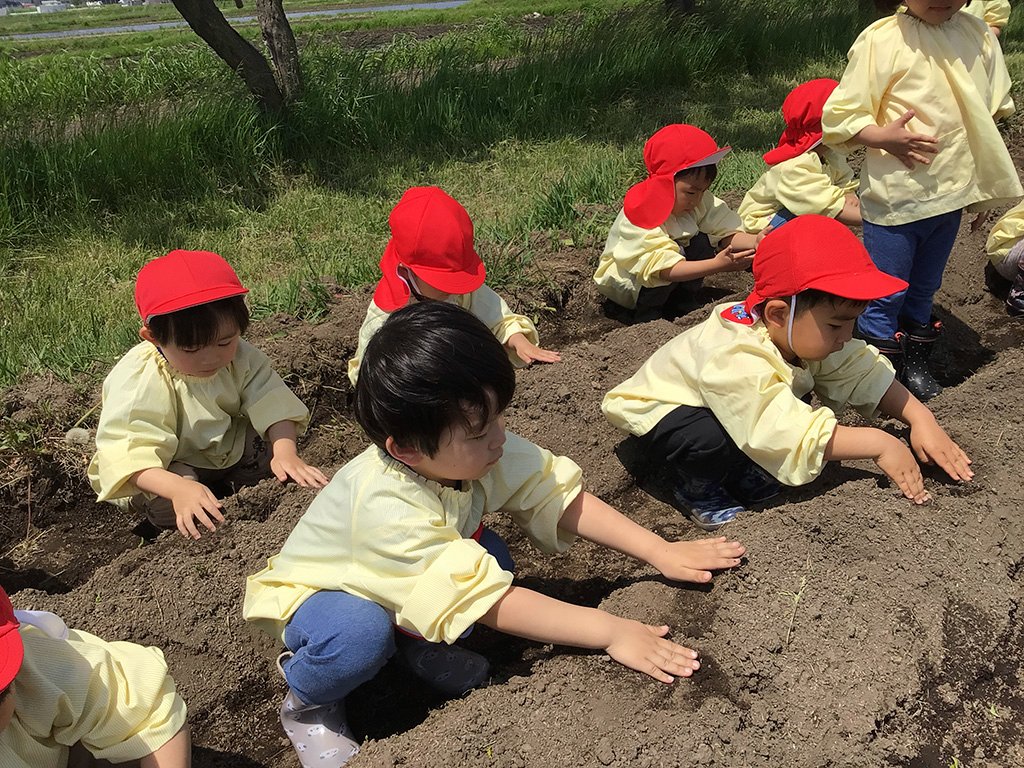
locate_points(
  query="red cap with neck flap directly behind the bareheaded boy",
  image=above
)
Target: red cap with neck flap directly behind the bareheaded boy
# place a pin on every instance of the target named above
(432, 235)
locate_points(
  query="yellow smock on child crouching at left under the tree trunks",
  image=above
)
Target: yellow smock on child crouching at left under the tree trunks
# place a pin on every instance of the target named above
(153, 415)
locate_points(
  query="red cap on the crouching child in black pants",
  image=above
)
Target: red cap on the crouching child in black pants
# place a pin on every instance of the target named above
(818, 252)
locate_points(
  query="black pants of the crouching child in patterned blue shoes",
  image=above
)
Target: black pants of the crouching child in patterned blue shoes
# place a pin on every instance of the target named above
(692, 442)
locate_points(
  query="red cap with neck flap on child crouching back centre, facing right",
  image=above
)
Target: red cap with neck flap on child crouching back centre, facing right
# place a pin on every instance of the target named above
(672, 150)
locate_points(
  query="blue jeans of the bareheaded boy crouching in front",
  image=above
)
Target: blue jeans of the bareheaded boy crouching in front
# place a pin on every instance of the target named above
(340, 642)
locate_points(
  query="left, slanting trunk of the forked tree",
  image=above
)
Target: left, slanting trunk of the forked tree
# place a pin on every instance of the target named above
(207, 22)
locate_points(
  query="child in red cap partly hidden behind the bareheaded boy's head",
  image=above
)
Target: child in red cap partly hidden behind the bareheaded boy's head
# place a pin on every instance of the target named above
(431, 258)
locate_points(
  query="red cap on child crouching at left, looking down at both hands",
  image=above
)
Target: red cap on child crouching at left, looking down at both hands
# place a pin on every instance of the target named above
(182, 280)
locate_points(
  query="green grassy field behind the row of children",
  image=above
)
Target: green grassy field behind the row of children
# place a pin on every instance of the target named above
(109, 163)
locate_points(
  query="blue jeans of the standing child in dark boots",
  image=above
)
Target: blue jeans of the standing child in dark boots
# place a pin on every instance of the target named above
(916, 252)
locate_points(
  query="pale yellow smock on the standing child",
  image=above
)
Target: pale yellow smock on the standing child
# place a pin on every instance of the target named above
(955, 78)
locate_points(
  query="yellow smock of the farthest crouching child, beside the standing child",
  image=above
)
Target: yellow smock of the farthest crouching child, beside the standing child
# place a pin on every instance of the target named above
(806, 184)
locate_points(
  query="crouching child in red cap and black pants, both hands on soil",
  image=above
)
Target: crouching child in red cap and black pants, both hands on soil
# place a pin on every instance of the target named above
(723, 405)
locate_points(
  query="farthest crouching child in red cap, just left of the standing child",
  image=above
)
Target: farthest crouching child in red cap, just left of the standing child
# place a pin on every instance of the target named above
(805, 177)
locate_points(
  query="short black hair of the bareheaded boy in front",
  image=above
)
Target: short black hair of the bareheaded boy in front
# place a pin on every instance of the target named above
(431, 367)
